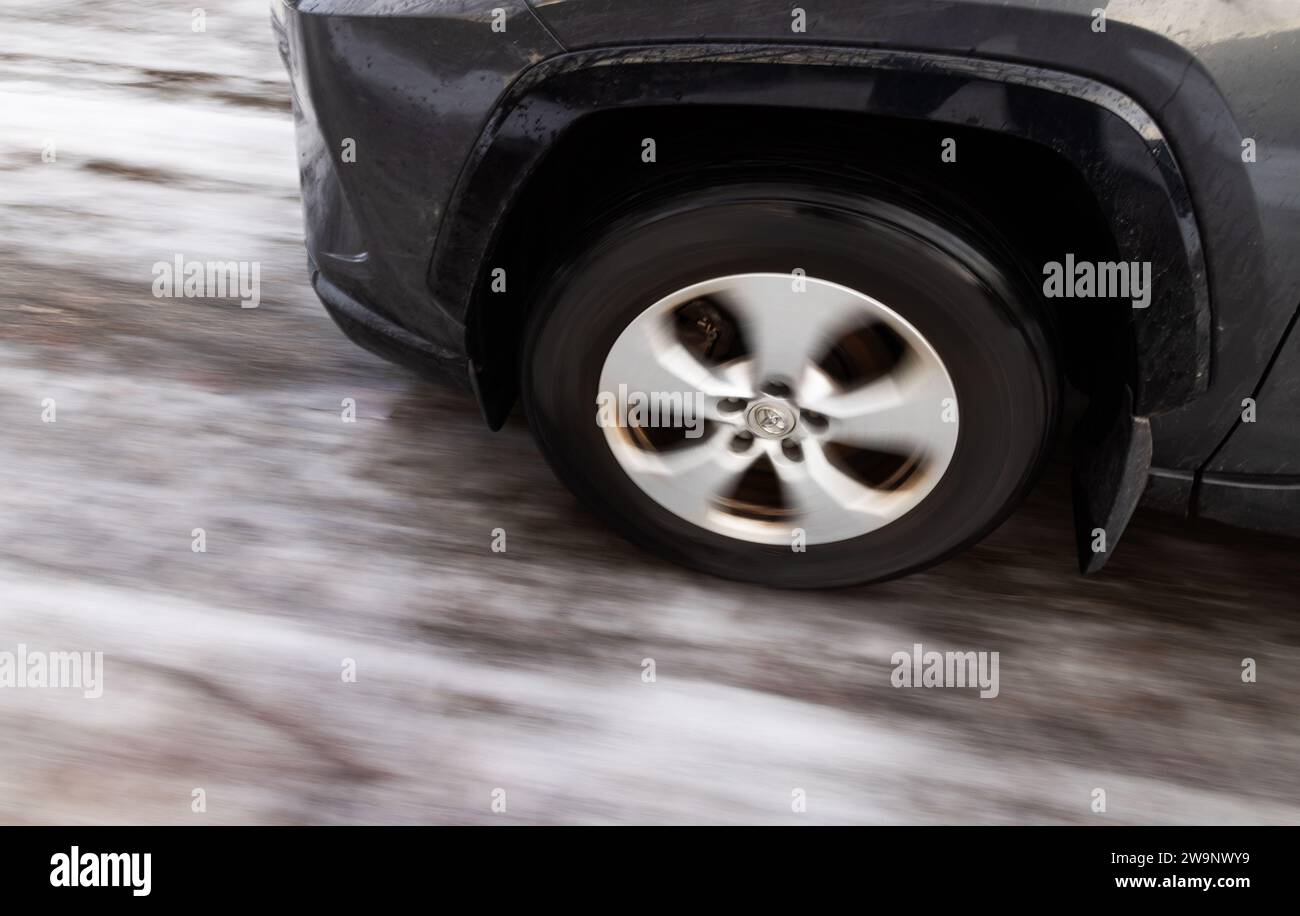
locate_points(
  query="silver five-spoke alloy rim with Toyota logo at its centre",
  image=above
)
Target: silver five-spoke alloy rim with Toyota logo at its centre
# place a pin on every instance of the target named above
(820, 410)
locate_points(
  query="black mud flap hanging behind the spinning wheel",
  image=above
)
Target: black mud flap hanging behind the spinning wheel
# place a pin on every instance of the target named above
(1112, 462)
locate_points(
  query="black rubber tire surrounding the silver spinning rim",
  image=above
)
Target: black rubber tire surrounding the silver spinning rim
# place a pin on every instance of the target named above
(972, 311)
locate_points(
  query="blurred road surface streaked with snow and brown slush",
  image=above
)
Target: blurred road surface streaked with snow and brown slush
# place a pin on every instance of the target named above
(371, 541)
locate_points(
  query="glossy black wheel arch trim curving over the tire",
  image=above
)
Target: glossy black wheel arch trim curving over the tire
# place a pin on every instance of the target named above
(1113, 146)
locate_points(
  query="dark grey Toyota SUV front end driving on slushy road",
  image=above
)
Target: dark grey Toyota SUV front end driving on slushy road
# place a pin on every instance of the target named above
(799, 296)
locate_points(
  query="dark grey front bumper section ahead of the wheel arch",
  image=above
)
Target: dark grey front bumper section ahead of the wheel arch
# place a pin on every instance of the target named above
(413, 85)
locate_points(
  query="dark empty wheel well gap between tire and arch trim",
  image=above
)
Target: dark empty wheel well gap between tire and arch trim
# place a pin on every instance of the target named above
(1017, 198)
